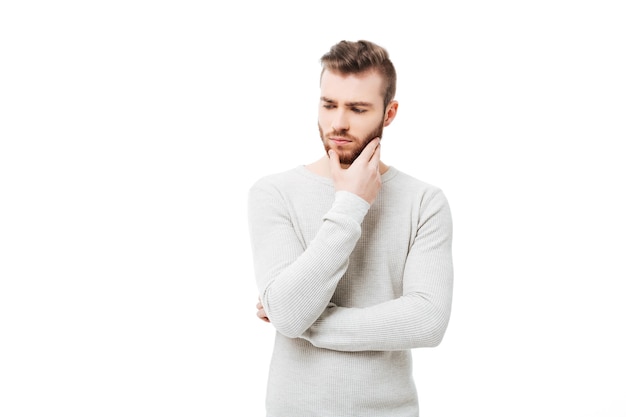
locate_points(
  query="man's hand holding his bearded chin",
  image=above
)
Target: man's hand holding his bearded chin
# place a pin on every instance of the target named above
(363, 176)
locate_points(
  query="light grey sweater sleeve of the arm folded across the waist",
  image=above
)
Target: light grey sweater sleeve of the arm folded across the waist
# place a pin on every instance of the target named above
(420, 316)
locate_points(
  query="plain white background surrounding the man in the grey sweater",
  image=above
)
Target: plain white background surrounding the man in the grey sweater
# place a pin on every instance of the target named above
(131, 131)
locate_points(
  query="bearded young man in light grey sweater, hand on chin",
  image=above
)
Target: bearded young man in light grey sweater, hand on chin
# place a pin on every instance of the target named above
(352, 257)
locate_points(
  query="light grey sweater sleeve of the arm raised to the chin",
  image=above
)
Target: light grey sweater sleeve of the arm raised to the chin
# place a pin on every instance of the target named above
(296, 282)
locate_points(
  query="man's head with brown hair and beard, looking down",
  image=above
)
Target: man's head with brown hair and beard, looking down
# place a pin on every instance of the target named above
(358, 85)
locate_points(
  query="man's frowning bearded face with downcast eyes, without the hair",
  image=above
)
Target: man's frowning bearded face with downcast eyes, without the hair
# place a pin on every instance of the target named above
(351, 112)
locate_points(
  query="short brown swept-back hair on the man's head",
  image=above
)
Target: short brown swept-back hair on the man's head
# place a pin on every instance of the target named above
(348, 57)
